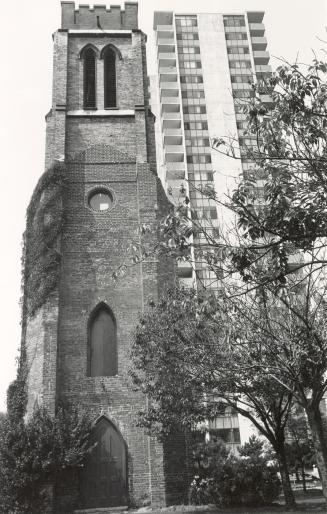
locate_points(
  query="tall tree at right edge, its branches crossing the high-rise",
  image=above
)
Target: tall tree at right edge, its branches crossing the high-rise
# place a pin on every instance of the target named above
(276, 241)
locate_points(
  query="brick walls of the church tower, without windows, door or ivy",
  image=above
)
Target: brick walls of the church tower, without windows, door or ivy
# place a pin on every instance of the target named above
(116, 150)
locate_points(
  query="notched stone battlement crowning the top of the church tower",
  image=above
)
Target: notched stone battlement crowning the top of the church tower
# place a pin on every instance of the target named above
(99, 17)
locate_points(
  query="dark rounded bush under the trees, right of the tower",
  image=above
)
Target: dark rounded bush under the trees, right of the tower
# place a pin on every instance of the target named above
(230, 481)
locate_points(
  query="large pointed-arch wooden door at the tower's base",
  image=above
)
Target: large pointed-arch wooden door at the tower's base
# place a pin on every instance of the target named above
(104, 477)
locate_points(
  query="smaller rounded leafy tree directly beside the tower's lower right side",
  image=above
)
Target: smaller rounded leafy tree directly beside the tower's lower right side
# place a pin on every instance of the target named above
(182, 358)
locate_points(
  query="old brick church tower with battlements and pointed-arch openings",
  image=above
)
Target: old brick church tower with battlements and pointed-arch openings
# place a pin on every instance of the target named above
(99, 187)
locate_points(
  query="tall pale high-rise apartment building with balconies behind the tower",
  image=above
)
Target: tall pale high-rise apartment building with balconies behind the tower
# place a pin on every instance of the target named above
(207, 64)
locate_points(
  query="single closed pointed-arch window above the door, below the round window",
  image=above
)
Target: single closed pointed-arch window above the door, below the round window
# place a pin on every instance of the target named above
(102, 351)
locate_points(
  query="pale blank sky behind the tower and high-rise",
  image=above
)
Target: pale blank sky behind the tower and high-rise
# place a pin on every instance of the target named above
(294, 28)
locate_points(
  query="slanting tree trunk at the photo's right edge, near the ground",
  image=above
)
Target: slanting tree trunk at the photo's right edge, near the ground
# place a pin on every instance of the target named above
(319, 443)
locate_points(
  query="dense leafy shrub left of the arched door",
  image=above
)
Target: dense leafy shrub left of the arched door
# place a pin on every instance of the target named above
(34, 453)
